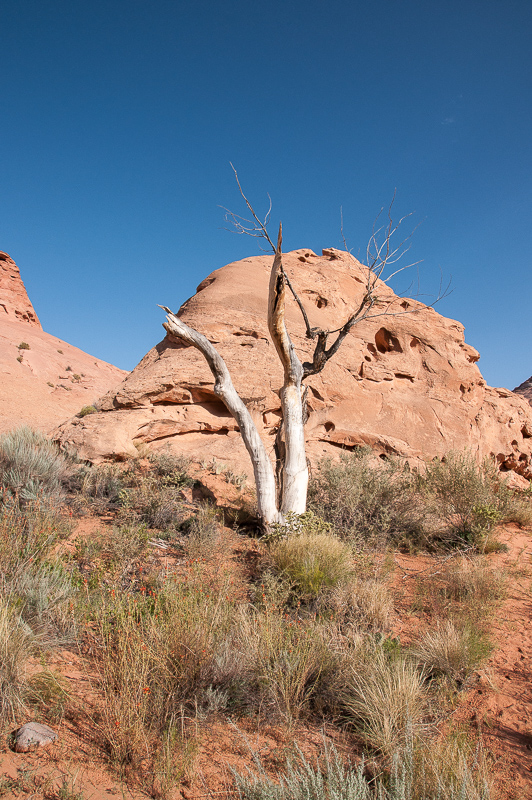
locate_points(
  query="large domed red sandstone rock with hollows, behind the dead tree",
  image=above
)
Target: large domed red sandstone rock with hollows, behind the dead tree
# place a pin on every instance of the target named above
(405, 384)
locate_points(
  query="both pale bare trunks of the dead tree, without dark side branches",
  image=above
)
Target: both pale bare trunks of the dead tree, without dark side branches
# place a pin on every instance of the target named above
(294, 472)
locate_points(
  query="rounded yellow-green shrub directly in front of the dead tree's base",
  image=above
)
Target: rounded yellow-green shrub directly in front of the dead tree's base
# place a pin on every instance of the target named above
(311, 562)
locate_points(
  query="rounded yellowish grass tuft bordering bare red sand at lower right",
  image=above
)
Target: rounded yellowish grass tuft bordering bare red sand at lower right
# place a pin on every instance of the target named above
(451, 650)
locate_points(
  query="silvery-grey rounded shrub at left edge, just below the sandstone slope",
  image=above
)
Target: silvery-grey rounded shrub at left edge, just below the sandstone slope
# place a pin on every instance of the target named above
(31, 466)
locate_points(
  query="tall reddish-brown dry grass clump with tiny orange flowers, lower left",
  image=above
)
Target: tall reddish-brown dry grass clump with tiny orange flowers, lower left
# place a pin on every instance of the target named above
(160, 654)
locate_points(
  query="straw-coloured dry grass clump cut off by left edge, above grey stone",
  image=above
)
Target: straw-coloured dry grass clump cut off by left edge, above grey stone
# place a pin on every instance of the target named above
(16, 645)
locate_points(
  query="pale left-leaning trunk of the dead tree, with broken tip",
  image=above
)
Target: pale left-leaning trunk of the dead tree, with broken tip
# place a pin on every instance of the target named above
(223, 387)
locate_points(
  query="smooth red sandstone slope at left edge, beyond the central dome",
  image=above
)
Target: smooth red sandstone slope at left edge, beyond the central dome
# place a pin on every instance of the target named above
(47, 380)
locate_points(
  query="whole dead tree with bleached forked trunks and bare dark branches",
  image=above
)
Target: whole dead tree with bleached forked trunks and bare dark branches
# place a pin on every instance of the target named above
(284, 493)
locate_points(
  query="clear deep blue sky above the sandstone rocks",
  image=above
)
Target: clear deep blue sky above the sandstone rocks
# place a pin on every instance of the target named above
(120, 118)
